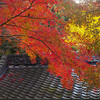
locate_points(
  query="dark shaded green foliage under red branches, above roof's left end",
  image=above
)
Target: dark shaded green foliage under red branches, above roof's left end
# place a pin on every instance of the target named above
(8, 44)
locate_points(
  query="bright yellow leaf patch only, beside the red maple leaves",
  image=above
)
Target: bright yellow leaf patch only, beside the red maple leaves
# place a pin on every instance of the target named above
(88, 35)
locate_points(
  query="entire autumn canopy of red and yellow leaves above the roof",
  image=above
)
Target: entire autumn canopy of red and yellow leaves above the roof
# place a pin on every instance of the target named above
(50, 29)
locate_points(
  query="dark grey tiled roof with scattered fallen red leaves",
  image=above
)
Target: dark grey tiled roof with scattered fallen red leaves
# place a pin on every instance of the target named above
(22, 80)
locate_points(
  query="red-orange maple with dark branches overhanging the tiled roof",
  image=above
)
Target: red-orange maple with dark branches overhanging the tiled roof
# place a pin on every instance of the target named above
(35, 24)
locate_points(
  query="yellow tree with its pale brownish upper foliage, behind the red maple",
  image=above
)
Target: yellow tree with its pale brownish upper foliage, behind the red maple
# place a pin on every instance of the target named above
(83, 24)
